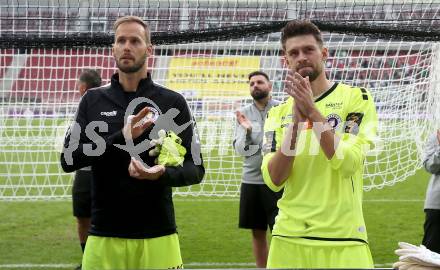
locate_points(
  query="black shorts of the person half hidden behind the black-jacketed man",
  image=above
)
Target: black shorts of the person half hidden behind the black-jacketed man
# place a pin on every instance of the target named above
(81, 194)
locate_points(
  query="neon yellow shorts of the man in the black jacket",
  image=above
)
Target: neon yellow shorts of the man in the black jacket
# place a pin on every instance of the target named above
(121, 253)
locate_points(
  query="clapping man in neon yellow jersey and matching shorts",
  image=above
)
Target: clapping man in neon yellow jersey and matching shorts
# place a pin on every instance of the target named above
(315, 145)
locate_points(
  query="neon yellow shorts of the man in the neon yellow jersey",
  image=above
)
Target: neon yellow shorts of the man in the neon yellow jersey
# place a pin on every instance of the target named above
(302, 253)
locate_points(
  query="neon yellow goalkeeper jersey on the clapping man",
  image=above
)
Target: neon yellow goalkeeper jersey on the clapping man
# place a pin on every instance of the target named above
(322, 198)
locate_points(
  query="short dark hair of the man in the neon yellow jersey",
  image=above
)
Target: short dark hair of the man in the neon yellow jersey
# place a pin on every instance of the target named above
(298, 28)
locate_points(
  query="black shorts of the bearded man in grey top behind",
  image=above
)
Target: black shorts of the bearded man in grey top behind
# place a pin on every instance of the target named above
(258, 206)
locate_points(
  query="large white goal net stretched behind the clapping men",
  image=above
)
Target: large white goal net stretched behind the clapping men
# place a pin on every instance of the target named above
(204, 50)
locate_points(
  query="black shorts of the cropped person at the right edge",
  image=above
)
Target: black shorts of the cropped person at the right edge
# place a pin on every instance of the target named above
(431, 238)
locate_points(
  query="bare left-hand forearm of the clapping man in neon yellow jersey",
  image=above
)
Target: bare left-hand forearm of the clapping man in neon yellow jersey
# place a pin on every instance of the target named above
(280, 164)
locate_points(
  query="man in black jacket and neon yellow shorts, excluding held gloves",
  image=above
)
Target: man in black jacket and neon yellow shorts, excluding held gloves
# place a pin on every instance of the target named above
(133, 222)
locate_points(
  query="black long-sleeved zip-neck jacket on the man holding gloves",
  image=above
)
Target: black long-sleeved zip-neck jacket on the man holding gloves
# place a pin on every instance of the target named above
(123, 206)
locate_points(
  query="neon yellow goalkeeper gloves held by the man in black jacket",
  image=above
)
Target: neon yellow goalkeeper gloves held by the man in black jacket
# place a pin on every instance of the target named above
(168, 149)
